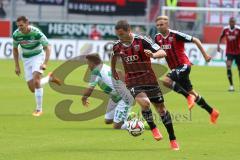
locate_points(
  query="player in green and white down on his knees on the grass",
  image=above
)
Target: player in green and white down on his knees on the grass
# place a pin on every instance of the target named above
(119, 104)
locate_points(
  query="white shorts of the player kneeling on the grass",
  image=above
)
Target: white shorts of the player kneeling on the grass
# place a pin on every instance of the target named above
(117, 111)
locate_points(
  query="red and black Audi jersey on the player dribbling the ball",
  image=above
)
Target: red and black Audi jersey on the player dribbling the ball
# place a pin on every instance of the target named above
(137, 65)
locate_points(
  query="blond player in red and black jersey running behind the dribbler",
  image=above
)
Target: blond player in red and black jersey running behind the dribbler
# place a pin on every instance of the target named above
(178, 79)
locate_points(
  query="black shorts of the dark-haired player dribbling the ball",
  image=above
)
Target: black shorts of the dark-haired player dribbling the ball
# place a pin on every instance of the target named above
(153, 92)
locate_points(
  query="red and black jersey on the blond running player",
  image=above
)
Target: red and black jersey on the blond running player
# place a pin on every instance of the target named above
(173, 45)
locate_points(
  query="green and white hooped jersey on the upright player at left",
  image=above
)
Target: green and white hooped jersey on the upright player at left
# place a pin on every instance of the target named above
(31, 43)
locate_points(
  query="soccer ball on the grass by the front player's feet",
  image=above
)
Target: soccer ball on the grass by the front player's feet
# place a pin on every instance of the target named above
(135, 127)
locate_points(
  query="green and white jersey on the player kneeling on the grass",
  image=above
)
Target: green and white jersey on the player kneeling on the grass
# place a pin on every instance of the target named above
(102, 76)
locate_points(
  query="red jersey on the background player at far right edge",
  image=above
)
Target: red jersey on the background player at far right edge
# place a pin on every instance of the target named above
(232, 39)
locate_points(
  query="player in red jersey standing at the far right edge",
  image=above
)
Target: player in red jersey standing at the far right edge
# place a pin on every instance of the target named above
(232, 35)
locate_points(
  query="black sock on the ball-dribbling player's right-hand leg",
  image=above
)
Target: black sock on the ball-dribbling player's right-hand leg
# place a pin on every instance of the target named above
(167, 121)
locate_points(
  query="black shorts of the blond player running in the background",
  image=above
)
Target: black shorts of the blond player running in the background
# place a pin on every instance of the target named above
(181, 76)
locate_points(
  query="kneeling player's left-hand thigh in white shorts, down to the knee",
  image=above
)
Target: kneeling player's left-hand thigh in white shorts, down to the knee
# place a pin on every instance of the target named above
(110, 111)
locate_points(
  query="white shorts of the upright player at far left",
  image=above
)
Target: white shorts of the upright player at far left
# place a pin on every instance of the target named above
(33, 64)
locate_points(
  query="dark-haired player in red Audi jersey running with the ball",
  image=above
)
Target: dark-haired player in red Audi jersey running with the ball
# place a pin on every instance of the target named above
(136, 53)
